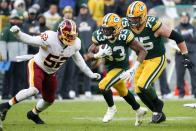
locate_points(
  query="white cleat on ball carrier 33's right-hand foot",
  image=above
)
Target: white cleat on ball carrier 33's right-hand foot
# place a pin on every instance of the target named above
(140, 113)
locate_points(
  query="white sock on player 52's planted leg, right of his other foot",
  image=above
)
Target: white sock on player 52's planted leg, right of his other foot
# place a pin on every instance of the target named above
(41, 106)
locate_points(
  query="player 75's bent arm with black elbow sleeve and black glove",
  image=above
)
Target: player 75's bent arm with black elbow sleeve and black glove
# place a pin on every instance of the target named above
(167, 32)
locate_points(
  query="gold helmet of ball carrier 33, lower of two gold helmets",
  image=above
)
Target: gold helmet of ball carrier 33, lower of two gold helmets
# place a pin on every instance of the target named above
(111, 25)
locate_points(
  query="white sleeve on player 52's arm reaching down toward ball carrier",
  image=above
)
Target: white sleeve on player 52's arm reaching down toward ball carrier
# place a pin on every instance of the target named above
(78, 59)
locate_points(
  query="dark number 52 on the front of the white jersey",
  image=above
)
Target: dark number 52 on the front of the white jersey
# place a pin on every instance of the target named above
(53, 61)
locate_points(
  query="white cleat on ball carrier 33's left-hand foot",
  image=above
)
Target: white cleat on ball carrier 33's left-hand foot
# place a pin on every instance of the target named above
(111, 111)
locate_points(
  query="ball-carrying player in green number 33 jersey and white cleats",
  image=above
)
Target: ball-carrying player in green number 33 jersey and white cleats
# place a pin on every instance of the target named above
(114, 44)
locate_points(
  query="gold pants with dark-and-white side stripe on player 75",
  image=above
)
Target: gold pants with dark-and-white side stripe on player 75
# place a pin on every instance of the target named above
(148, 72)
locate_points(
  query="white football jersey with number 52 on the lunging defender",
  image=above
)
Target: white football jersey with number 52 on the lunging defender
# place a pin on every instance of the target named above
(52, 54)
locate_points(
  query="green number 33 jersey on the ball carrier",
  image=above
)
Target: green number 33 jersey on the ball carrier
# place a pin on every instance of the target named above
(120, 48)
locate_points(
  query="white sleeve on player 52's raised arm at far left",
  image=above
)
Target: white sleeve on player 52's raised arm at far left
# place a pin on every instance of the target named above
(32, 40)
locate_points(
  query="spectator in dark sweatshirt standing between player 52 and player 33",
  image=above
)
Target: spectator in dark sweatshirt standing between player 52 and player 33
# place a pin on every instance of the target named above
(86, 26)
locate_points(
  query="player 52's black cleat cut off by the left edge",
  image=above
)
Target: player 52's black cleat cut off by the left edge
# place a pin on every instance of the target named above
(4, 107)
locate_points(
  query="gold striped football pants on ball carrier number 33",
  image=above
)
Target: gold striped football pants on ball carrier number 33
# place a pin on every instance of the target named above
(111, 79)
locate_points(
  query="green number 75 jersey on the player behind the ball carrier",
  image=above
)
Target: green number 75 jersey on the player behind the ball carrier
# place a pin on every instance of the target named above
(154, 45)
